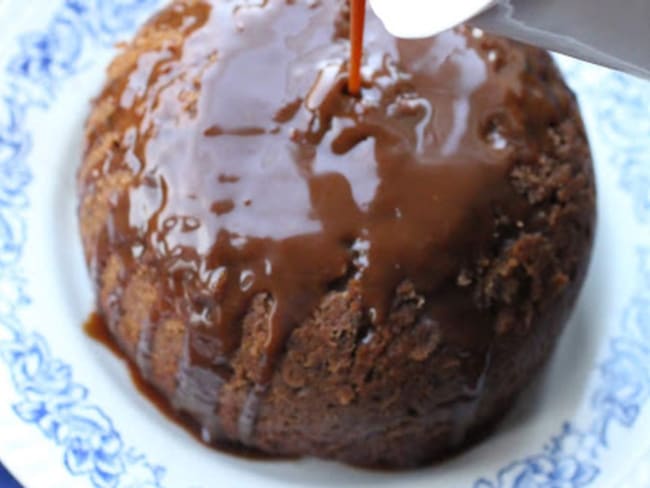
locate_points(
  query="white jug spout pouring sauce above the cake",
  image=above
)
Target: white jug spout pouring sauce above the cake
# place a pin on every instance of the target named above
(614, 33)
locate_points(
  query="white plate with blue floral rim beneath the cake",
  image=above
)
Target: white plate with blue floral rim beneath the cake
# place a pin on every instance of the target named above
(69, 415)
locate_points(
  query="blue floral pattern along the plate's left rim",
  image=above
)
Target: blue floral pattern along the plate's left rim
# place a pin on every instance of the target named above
(50, 398)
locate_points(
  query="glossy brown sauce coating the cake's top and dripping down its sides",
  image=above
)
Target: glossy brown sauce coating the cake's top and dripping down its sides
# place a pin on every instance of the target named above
(252, 171)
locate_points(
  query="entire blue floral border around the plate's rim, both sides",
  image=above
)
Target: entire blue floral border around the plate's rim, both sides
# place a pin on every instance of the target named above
(62, 409)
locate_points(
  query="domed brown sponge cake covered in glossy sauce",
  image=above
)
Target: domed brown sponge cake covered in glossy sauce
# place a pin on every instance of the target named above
(304, 272)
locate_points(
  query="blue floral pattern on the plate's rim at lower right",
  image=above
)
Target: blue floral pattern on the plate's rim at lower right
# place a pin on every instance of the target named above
(571, 460)
